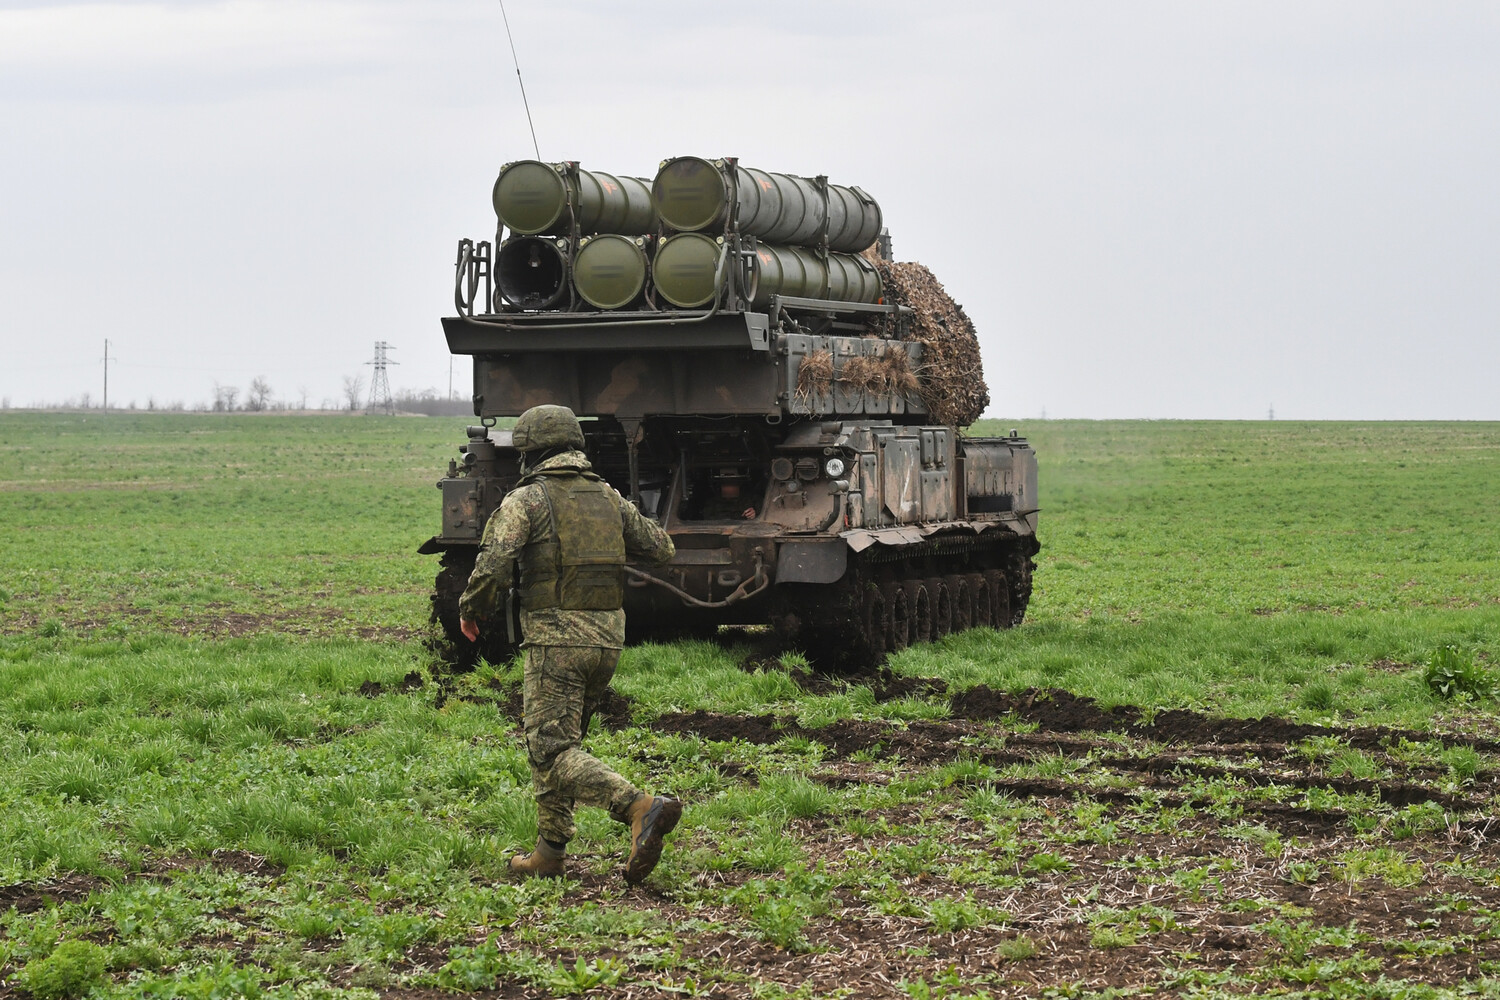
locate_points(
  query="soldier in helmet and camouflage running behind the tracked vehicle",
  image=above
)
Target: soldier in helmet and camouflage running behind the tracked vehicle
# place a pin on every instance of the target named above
(571, 534)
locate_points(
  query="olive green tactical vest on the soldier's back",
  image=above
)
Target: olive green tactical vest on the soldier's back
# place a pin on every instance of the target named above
(581, 566)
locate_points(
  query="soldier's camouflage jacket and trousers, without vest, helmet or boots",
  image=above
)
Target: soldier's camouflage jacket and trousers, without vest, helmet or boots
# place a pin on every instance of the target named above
(571, 654)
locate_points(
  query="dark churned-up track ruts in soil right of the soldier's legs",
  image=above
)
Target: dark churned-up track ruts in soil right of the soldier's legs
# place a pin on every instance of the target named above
(1202, 750)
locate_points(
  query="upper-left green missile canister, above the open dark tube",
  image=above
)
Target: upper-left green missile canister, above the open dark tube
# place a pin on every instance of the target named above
(533, 199)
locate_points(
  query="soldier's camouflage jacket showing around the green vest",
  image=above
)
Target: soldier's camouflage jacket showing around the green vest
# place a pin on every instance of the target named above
(524, 519)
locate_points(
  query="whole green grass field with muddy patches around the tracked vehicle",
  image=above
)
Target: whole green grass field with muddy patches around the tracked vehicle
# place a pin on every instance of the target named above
(1210, 764)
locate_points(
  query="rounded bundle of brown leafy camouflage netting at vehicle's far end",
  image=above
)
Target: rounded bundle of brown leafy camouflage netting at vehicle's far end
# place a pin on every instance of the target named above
(952, 376)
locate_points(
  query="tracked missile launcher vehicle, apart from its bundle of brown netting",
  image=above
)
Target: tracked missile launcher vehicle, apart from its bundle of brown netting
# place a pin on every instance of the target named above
(743, 379)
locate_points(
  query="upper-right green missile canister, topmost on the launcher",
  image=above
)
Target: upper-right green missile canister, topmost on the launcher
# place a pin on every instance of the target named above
(694, 194)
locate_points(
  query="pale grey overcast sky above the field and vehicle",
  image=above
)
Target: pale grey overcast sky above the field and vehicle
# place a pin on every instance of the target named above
(1174, 209)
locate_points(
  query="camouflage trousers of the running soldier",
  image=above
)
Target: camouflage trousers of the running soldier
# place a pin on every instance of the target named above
(563, 687)
